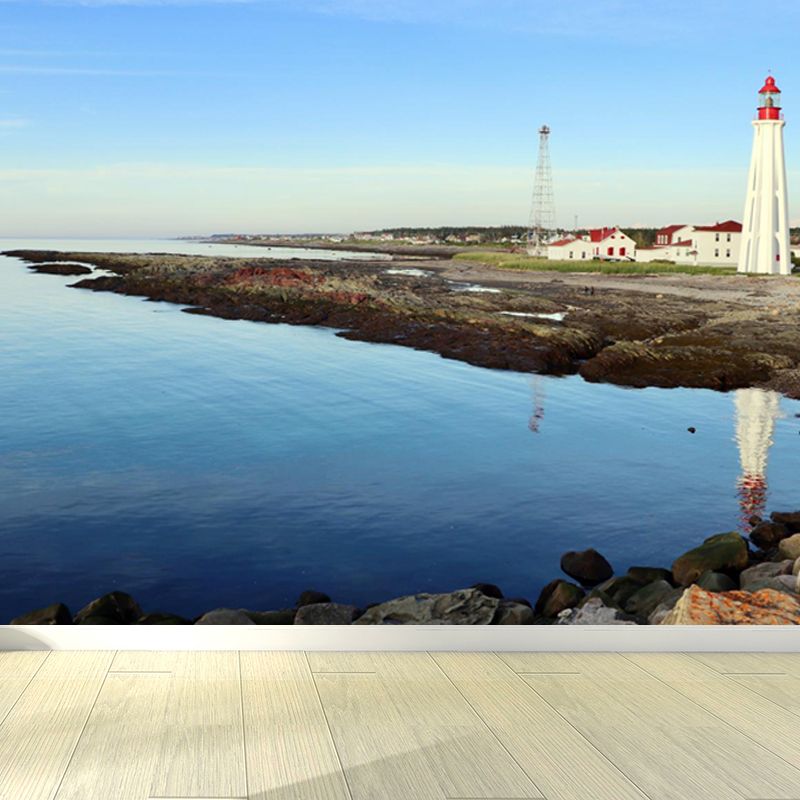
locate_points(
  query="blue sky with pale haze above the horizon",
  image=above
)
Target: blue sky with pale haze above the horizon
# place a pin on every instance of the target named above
(162, 117)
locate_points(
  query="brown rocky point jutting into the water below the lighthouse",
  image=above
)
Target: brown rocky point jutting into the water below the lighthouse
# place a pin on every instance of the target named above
(614, 335)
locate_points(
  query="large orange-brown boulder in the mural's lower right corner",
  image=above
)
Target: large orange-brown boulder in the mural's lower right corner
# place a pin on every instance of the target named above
(764, 607)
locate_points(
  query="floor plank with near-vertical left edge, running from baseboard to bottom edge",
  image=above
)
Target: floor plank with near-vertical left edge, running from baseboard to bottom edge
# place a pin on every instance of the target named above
(290, 752)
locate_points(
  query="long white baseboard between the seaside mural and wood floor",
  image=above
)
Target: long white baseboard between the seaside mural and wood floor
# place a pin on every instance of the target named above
(547, 638)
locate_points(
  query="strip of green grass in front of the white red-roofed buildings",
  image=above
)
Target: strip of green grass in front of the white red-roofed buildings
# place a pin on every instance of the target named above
(519, 261)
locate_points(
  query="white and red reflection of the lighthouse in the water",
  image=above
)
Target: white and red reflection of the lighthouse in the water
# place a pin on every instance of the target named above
(756, 413)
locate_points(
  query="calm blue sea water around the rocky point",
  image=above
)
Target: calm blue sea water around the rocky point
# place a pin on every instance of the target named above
(198, 462)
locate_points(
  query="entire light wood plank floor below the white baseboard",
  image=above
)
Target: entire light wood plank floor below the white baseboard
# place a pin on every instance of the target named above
(399, 726)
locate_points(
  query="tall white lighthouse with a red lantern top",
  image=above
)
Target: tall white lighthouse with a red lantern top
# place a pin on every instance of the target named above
(765, 234)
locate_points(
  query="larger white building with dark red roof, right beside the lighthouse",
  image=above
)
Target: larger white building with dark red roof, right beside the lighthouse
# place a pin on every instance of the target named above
(702, 245)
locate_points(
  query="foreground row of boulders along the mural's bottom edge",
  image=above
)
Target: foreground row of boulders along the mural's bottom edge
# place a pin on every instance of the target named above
(726, 580)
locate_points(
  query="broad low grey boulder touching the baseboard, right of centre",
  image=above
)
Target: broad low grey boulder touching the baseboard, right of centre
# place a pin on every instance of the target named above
(462, 607)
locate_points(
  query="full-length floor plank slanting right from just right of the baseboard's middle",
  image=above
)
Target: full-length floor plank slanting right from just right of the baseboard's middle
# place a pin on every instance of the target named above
(558, 759)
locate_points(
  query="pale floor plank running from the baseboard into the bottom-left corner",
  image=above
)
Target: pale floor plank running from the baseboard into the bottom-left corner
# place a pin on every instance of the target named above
(41, 731)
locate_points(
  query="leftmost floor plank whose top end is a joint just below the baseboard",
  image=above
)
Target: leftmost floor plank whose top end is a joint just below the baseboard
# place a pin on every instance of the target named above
(118, 750)
